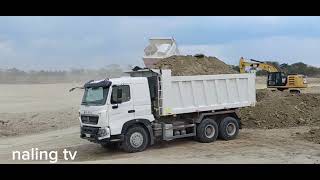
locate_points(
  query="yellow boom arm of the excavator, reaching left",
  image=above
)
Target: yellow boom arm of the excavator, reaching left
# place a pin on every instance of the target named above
(254, 64)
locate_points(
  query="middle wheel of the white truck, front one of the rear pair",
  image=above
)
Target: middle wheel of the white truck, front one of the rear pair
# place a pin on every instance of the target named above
(207, 131)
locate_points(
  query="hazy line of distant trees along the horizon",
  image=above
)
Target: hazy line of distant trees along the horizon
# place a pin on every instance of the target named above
(16, 76)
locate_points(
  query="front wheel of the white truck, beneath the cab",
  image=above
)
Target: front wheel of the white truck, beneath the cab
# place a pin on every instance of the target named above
(136, 139)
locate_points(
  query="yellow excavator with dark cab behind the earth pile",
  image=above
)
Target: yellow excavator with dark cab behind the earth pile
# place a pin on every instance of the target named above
(276, 78)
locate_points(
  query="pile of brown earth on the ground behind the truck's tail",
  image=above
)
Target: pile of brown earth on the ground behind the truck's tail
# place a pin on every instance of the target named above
(276, 109)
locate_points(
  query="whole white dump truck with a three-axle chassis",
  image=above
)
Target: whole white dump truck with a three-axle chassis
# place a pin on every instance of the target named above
(150, 105)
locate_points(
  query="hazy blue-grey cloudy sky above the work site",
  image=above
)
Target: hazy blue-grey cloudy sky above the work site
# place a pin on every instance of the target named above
(66, 42)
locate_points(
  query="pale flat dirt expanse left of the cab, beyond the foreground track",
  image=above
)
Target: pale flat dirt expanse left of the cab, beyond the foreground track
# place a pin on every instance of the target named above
(34, 108)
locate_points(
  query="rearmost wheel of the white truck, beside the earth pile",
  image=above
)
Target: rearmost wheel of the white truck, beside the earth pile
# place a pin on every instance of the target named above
(228, 128)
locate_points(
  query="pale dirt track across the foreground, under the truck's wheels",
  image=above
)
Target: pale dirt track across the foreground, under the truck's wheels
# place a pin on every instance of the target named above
(252, 146)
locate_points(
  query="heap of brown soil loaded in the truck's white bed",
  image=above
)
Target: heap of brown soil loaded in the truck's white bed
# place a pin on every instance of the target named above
(191, 65)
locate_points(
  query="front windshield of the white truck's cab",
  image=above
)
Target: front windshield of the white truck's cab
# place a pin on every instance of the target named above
(95, 96)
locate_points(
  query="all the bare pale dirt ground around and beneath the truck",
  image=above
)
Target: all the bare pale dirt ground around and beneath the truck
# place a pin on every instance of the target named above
(45, 117)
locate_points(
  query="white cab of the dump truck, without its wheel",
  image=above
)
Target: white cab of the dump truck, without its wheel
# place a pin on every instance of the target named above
(108, 106)
